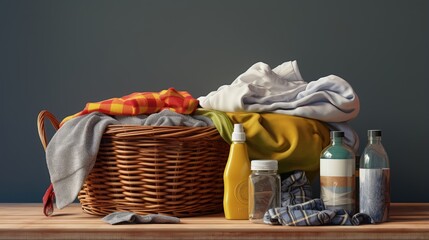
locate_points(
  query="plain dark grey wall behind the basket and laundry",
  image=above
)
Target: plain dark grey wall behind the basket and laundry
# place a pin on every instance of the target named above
(58, 55)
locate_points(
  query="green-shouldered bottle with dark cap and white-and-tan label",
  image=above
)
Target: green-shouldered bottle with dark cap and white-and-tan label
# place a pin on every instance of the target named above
(337, 174)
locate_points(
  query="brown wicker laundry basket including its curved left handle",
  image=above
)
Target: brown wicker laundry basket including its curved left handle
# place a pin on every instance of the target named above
(176, 171)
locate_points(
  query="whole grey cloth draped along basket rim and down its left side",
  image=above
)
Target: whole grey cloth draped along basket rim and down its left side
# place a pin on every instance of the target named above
(72, 151)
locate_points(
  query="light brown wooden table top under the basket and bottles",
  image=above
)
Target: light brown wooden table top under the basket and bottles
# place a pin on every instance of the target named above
(26, 221)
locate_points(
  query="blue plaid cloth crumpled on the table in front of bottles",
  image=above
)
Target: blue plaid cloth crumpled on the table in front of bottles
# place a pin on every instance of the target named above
(298, 210)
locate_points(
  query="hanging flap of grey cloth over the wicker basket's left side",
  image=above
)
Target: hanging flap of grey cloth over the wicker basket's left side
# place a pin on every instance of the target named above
(72, 152)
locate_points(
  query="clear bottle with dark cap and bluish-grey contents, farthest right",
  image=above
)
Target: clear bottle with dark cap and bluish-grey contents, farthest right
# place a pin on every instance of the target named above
(374, 175)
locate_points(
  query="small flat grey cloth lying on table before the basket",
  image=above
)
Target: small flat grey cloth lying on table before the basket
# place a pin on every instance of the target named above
(133, 218)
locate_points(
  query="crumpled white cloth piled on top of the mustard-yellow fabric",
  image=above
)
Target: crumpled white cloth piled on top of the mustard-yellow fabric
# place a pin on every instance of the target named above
(282, 90)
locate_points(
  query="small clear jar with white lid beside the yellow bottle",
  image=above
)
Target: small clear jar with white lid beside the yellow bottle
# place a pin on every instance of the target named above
(264, 189)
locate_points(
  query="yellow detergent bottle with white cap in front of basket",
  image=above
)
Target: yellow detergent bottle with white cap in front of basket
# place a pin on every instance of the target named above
(235, 177)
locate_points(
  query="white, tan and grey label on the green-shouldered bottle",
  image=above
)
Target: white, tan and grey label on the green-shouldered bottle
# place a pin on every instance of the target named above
(337, 182)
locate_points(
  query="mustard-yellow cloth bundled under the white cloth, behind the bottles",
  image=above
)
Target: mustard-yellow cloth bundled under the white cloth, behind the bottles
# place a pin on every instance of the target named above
(296, 142)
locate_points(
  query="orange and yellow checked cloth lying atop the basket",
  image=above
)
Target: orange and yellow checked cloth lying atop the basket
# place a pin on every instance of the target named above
(142, 103)
